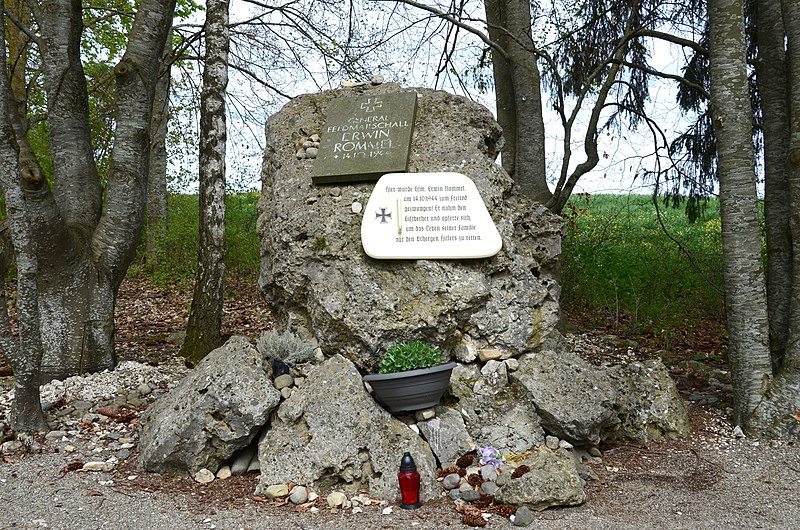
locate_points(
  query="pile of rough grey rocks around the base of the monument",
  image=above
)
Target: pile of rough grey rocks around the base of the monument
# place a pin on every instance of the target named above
(327, 433)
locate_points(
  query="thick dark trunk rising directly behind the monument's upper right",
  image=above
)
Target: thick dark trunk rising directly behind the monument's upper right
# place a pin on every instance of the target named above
(518, 95)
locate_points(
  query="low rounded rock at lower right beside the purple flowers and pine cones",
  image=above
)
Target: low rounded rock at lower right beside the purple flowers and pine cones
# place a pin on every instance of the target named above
(553, 480)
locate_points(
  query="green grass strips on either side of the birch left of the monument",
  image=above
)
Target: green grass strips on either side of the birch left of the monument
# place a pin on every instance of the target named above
(177, 259)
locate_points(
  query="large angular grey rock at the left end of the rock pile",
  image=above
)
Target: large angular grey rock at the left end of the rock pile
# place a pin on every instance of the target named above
(214, 411)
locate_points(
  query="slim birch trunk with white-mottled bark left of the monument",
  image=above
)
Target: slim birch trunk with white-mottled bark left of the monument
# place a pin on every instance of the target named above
(203, 332)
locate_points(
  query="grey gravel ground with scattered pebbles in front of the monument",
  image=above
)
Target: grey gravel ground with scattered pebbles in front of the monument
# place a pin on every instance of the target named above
(712, 479)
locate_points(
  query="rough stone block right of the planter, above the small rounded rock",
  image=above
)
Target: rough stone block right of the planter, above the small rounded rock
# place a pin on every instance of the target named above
(574, 399)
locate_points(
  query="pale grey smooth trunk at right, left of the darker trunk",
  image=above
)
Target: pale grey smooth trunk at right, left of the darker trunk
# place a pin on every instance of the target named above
(745, 291)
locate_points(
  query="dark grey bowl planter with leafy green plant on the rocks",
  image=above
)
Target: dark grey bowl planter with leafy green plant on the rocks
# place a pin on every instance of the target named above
(411, 376)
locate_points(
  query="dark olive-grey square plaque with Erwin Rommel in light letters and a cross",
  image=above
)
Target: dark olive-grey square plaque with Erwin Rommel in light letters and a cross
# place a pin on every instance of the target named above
(365, 138)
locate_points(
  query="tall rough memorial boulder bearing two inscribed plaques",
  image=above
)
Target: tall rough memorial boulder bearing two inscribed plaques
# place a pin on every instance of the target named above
(355, 300)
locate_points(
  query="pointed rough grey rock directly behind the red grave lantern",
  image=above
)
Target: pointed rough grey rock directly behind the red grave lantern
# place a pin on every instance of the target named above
(331, 433)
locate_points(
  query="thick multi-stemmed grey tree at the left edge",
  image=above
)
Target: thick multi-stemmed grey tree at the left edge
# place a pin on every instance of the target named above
(75, 242)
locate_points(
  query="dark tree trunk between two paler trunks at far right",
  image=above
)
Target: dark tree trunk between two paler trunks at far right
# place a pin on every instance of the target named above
(773, 86)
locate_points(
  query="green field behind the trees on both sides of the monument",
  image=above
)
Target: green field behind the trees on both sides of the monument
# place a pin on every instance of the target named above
(623, 271)
